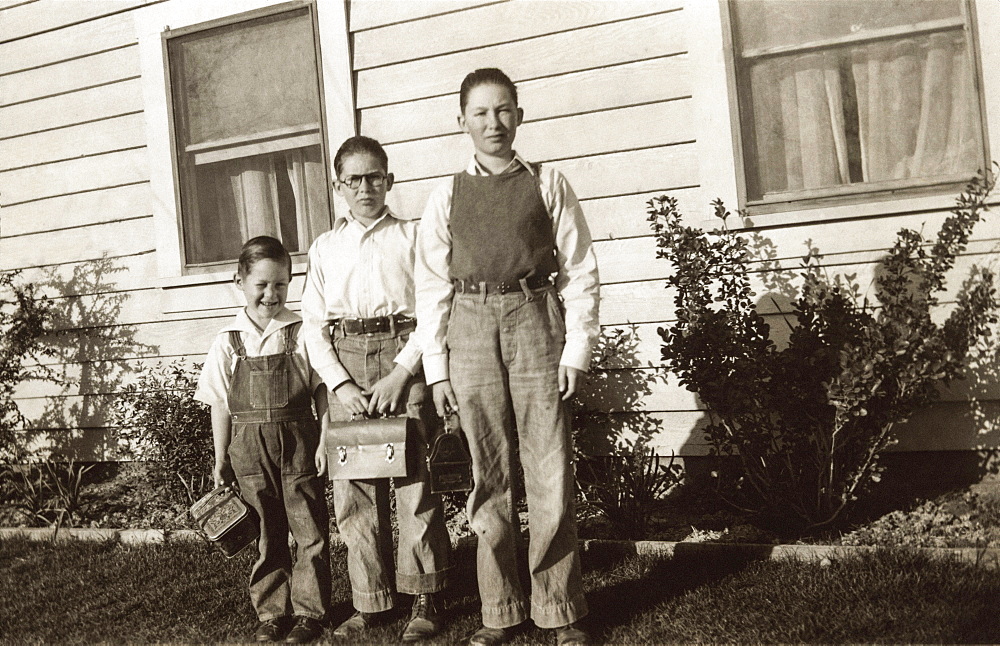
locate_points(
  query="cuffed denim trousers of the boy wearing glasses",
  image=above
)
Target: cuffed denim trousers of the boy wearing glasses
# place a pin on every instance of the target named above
(362, 507)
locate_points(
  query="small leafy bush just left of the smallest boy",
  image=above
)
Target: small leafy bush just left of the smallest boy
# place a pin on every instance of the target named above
(161, 422)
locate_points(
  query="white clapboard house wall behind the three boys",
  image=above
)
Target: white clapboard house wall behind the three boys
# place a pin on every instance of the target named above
(615, 96)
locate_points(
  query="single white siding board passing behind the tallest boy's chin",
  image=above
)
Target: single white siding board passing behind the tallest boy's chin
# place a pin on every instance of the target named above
(581, 135)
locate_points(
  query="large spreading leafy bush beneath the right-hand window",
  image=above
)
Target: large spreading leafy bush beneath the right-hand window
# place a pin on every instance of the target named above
(808, 422)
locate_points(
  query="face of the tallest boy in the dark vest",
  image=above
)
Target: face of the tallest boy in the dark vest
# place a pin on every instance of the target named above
(491, 118)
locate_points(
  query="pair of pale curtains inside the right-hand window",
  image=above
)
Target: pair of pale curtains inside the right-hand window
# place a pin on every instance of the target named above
(915, 106)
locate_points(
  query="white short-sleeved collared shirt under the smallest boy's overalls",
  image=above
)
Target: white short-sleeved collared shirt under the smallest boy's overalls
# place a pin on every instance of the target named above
(217, 373)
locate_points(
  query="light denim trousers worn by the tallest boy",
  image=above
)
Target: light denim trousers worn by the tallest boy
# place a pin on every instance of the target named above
(504, 361)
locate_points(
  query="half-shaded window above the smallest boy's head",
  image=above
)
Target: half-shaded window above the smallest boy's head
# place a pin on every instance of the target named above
(247, 131)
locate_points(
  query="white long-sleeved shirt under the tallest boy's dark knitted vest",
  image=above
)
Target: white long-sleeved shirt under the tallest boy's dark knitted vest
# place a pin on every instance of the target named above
(577, 280)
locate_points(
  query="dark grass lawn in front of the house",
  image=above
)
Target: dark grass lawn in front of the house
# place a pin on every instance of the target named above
(82, 592)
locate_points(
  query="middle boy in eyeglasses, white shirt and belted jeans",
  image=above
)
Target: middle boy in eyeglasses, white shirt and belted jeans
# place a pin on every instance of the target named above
(358, 307)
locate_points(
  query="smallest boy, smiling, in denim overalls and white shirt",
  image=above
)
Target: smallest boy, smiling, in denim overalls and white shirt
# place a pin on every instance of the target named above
(258, 382)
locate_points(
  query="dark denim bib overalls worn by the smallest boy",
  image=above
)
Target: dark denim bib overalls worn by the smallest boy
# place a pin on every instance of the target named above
(274, 441)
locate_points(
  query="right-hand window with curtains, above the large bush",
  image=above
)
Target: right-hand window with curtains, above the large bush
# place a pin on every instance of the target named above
(855, 96)
